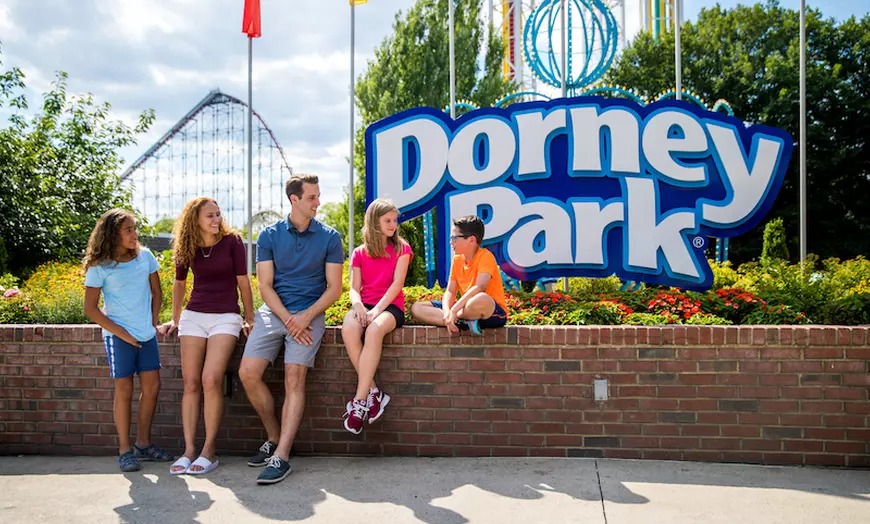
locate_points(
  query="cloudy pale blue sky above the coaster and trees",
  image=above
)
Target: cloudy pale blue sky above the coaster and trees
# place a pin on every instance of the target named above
(168, 54)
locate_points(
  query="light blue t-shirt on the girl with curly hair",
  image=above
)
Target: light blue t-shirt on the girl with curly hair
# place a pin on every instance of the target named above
(127, 293)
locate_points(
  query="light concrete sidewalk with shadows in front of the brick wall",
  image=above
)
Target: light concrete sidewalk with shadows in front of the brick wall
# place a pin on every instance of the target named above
(432, 490)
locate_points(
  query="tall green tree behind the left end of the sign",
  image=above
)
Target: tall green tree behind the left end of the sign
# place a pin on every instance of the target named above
(410, 69)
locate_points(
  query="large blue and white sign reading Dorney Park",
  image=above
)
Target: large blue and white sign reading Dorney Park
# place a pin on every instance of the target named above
(583, 186)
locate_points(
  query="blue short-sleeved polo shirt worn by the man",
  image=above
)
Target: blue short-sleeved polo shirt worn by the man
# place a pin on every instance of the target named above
(299, 260)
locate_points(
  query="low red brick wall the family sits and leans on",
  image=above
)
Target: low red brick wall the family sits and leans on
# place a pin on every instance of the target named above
(771, 395)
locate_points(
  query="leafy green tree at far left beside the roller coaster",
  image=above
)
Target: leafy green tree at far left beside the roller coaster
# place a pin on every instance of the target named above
(59, 169)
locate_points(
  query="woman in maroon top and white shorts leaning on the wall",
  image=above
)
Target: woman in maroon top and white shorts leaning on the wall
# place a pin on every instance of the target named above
(210, 324)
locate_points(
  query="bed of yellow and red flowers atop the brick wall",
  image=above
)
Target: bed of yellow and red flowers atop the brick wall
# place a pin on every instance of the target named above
(828, 292)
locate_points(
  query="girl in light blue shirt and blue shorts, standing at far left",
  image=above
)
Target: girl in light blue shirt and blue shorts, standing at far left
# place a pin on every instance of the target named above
(126, 275)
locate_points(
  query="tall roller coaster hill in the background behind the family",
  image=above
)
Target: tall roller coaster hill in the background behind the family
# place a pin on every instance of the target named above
(204, 153)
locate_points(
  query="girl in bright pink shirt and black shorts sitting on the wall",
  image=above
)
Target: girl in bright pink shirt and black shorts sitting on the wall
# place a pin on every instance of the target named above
(378, 271)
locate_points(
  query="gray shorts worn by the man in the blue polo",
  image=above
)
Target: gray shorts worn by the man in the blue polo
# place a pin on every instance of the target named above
(269, 332)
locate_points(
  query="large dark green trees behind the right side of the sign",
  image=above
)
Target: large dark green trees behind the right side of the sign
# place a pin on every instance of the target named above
(749, 56)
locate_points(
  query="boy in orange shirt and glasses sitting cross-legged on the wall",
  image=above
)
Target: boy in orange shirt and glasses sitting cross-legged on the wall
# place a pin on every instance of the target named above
(475, 275)
